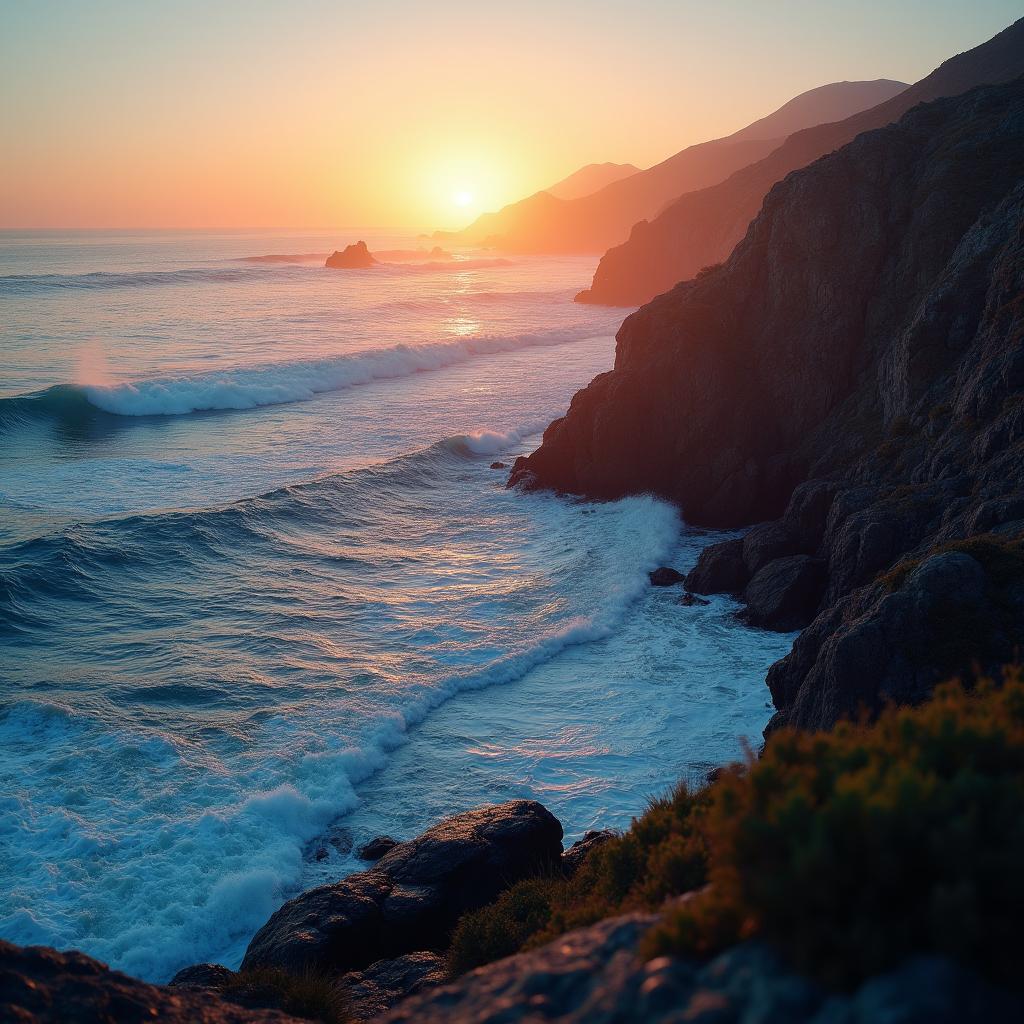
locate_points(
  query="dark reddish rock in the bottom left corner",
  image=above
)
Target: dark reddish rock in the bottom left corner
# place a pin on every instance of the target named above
(42, 987)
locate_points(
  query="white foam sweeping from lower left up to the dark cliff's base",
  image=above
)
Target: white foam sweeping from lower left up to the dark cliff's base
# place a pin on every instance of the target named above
(153, 852)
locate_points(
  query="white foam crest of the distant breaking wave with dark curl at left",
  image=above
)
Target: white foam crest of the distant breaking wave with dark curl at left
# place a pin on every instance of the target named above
(278, 383)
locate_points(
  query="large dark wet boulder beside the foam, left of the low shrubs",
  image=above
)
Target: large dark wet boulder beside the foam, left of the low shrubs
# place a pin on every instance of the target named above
(415, 894)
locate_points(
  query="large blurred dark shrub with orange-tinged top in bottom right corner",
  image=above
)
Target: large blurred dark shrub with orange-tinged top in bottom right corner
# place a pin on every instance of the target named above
(852, 850)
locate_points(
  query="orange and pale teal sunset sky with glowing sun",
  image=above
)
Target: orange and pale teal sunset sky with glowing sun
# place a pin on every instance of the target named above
(415, 114)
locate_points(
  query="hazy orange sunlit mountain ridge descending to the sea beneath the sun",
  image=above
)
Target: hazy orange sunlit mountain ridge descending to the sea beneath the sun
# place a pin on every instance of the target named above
(592, 224)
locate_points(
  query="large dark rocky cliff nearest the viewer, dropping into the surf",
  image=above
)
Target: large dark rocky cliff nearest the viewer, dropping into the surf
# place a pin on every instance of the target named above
(857, 368)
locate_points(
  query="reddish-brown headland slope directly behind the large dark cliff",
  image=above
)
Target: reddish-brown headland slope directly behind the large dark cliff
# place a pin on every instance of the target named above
(702, 228)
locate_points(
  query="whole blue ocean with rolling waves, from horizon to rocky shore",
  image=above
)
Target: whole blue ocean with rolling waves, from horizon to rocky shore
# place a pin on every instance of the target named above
(263, 595)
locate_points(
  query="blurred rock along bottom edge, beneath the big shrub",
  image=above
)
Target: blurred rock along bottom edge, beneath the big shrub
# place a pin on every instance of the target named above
(593, 976)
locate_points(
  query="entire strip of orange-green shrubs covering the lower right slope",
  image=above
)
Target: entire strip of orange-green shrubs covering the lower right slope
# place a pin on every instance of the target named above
(848, 851)
